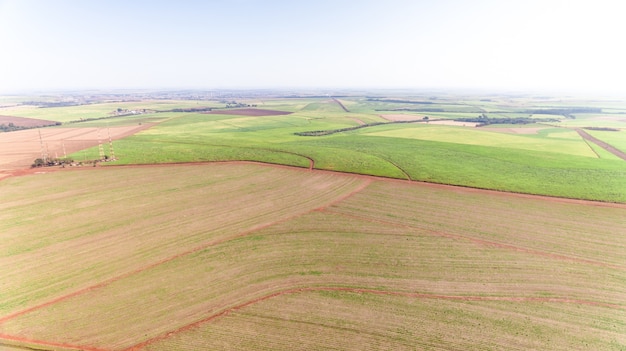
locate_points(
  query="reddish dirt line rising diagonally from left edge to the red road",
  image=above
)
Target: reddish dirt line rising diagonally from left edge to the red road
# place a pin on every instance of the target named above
(198, 248)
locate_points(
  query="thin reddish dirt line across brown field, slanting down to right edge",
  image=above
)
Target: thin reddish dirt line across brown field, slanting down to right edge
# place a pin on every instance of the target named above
(483, 242)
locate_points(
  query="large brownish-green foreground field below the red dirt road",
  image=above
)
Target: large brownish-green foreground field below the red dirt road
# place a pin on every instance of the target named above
(249, 256)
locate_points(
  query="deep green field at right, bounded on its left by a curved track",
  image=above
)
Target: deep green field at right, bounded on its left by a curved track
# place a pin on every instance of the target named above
(515, 170)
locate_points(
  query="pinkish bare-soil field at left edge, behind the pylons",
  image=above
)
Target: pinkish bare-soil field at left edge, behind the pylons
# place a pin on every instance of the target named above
(19, 149)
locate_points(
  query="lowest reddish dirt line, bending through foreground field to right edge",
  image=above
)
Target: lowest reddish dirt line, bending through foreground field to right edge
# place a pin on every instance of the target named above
(242, 305)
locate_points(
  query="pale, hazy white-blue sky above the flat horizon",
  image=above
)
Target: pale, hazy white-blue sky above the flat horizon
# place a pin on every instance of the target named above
(492, 45)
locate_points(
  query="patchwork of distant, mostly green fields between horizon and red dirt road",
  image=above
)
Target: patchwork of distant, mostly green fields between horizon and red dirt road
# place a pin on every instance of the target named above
(519, 144)
